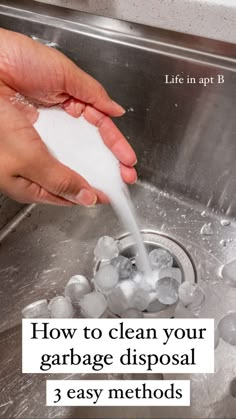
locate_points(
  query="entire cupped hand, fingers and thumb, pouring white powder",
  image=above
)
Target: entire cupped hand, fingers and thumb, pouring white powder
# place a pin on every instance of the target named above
(28, 172)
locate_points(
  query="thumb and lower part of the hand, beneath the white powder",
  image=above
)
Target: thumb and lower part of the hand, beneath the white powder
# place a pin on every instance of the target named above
(23, 154)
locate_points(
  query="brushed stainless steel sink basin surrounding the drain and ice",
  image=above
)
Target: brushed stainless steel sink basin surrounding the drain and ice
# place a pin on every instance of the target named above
(185, 139)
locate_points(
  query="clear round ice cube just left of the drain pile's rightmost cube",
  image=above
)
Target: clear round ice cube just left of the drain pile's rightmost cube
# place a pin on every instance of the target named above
(167, 290)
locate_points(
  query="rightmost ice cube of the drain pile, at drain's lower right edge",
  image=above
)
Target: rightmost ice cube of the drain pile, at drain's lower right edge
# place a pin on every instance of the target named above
(191, 295)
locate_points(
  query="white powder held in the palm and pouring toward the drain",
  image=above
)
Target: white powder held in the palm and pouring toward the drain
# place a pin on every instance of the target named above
(78, 144)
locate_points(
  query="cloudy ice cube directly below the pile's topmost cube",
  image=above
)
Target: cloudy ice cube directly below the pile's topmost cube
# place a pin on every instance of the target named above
(106, 278)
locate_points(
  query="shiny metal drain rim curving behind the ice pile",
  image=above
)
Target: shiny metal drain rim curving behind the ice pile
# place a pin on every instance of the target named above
(154, 240)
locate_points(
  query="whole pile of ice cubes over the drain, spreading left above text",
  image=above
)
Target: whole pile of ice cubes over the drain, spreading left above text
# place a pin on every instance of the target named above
(119, 288)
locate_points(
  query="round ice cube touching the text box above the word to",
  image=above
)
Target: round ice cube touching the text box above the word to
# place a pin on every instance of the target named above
(93, 305)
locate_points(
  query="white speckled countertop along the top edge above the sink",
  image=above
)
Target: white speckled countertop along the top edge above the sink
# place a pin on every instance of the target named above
(214, 19)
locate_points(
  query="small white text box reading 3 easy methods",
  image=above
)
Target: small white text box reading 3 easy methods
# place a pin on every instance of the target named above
(118, 393)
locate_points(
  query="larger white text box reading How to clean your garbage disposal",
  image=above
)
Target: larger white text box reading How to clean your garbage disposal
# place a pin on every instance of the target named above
(118, 345)
